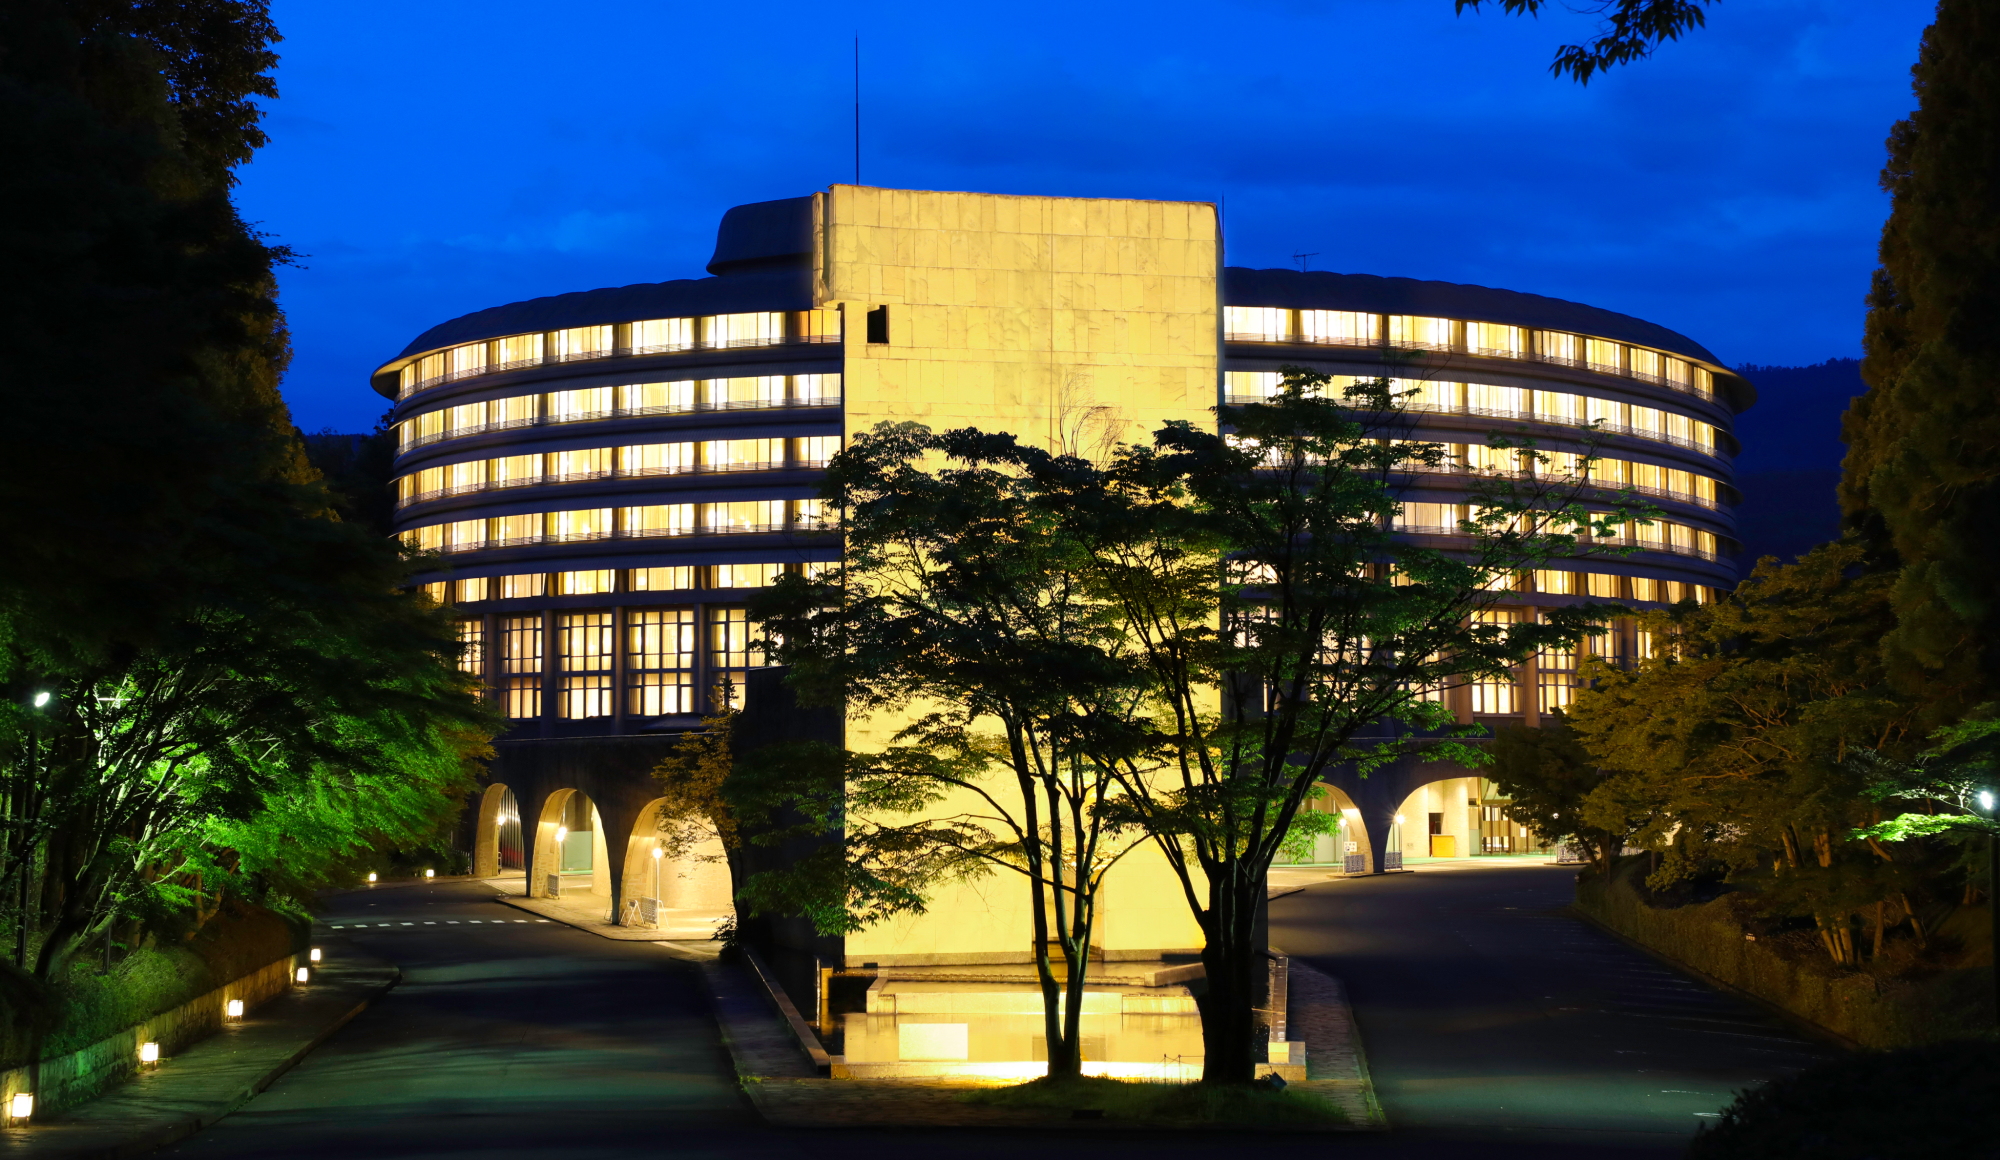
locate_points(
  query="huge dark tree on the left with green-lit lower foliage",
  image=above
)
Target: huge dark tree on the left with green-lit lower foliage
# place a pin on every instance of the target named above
(213, 683)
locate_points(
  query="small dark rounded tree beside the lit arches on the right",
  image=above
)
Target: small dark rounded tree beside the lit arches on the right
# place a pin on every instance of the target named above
(1549, 777)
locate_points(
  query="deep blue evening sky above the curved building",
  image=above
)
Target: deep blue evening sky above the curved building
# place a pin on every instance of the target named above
(431, 159)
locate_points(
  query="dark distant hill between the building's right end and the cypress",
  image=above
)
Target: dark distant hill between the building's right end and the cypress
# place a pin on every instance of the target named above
(1791, 459)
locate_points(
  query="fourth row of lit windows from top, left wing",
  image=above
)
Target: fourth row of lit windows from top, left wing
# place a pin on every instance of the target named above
(619, 523)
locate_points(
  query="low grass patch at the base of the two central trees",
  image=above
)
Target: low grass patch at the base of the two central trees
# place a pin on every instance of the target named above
(1251, 1105)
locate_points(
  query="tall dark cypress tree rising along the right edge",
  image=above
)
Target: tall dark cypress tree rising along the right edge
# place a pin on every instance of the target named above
(1923, 471)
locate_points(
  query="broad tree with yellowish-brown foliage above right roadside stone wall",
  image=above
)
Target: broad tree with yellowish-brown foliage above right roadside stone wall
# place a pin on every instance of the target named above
(1739, 735)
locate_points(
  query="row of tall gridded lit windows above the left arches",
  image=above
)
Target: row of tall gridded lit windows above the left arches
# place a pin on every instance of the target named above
(583, 671)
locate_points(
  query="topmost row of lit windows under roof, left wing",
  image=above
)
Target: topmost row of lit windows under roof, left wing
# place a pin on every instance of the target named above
(647, 337)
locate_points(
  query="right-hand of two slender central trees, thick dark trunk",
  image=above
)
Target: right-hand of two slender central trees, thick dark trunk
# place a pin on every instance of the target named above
(1331, 623)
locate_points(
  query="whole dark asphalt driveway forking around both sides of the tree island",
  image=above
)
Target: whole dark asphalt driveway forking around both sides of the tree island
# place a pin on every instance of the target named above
(1489, 1021)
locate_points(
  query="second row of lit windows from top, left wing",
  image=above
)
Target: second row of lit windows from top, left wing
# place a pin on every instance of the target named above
(633, 399)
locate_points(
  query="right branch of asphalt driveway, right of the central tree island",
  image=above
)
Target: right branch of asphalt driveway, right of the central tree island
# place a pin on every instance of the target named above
(1497, 1019)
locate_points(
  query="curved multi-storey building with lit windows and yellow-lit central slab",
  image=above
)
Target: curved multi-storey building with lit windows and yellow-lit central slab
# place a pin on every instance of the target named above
(607, 475)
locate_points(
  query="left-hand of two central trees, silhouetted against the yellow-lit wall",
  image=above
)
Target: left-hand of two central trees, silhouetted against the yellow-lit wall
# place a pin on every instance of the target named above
(995, 691)
